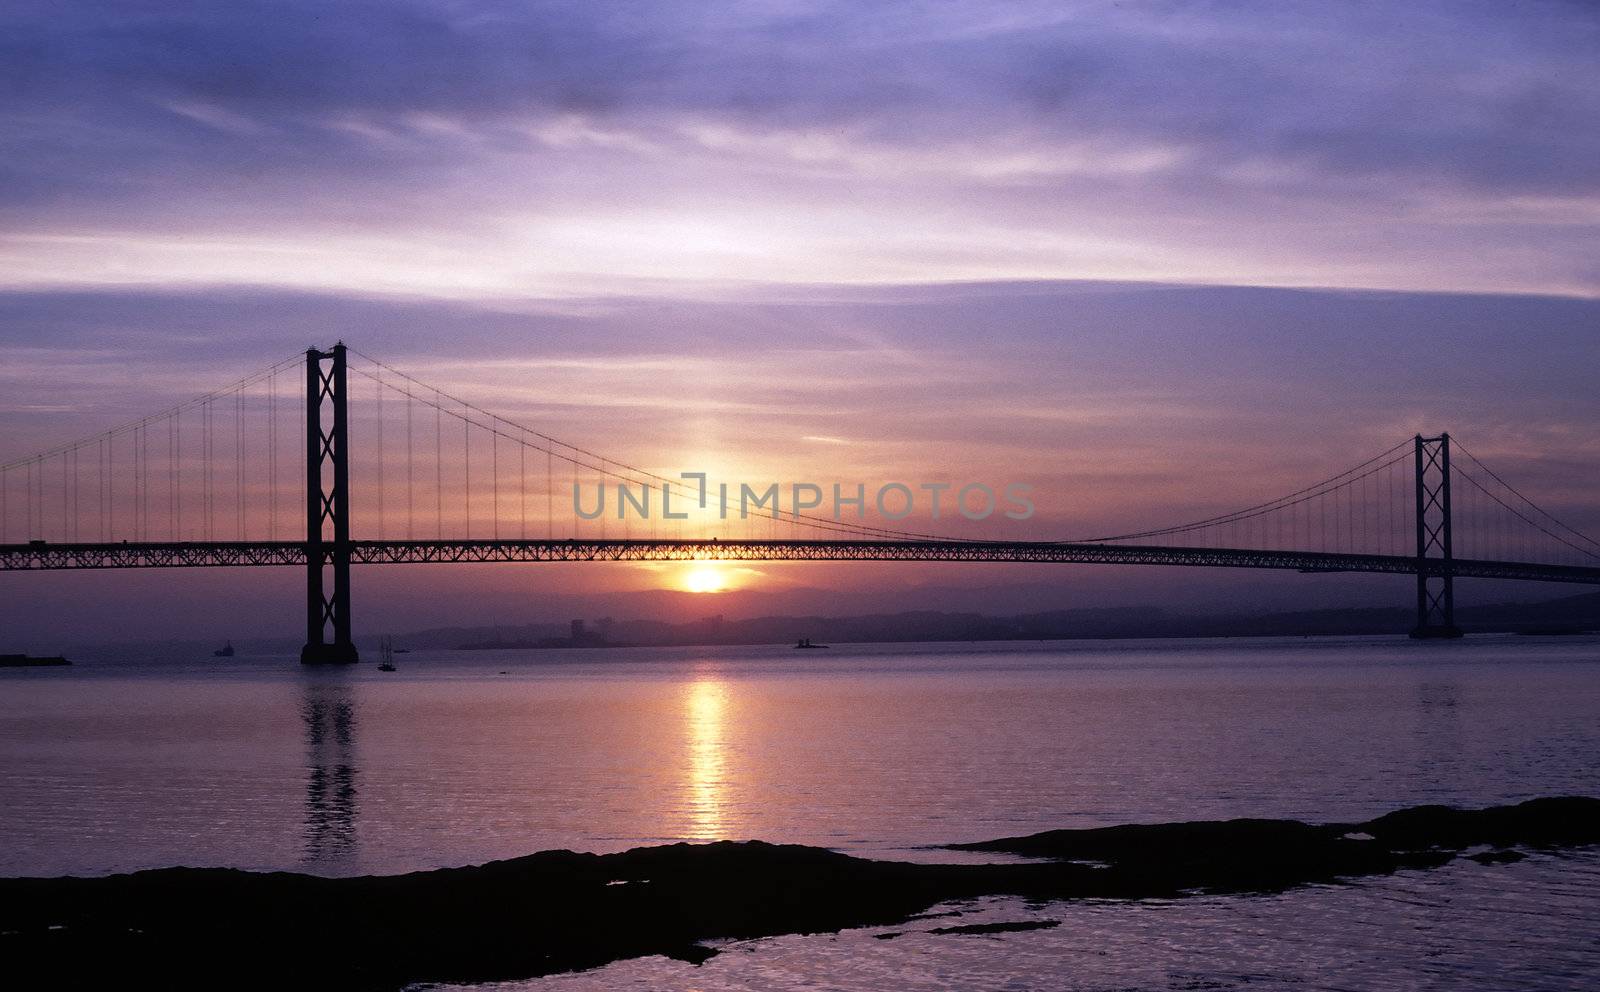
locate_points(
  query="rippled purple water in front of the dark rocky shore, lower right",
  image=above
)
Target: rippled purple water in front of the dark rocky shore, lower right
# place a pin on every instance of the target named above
(1526, 927)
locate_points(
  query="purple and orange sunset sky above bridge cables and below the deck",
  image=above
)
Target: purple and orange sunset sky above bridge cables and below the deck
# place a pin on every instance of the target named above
(1156, 260)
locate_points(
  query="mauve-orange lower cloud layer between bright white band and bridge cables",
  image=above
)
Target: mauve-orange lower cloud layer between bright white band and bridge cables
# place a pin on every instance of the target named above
(1079, 386)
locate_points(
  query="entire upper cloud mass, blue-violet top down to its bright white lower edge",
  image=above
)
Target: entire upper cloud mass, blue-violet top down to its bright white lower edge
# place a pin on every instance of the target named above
(505, 148)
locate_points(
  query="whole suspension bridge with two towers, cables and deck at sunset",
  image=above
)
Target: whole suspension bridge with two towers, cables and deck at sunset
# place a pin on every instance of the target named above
(266, 471)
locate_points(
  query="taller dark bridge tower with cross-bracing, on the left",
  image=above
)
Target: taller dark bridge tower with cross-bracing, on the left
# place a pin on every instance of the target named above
(327, 508)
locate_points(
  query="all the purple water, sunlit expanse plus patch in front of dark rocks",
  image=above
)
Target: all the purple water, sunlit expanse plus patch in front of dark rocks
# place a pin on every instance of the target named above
(466, 758)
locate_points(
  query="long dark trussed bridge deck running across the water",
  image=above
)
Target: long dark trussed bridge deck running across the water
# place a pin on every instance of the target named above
(44, 556)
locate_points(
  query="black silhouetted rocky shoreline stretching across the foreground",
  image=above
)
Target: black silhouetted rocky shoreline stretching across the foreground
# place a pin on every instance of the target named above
(191, 929)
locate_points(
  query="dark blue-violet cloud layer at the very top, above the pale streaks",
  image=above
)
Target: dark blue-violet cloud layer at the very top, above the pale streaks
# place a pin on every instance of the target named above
(1473, 90)
